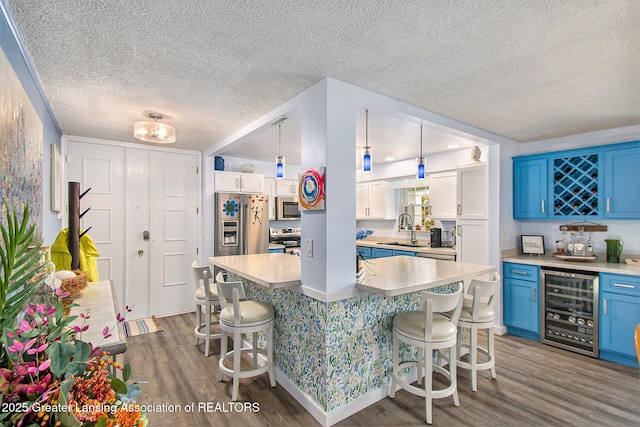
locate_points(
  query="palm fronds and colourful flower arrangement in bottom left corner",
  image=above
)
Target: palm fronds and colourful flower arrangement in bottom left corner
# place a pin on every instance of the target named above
(48, 375)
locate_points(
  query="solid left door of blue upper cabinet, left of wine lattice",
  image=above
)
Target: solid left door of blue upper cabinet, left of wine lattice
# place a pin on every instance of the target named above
(530, 188)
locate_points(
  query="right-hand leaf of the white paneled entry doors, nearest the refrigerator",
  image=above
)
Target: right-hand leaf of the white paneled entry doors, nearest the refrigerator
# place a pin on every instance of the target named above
(174, 231)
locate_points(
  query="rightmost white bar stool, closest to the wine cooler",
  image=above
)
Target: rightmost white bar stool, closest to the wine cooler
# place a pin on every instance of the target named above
(478, 313)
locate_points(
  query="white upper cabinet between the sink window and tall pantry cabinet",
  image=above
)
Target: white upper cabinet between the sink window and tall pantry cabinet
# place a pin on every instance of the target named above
(472, 192)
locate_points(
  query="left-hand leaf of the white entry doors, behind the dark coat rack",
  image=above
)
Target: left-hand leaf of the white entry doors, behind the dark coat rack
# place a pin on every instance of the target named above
(101, 168)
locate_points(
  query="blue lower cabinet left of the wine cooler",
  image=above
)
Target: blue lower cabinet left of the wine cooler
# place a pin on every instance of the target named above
(522, 300)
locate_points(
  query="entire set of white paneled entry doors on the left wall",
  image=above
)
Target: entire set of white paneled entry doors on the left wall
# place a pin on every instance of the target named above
(134, 190)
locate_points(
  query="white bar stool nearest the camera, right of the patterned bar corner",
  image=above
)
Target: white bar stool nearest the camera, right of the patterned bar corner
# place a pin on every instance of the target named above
(428, 330)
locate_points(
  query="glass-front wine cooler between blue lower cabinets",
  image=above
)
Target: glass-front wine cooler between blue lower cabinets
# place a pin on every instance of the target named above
(569, 310)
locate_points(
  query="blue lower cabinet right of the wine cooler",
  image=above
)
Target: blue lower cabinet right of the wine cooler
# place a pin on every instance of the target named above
(619, 315)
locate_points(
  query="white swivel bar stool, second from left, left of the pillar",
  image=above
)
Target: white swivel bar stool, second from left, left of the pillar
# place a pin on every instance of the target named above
(243, 317)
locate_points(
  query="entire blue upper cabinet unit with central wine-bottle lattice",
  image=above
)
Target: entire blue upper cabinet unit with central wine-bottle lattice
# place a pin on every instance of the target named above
(591, 183)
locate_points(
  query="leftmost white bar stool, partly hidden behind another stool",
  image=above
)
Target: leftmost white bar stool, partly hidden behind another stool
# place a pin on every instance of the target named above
(206, 296)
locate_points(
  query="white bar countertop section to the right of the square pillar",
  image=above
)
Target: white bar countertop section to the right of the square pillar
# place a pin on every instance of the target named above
(405, 274)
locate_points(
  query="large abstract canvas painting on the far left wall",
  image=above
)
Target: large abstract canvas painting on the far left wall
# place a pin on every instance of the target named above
(20, 148)
